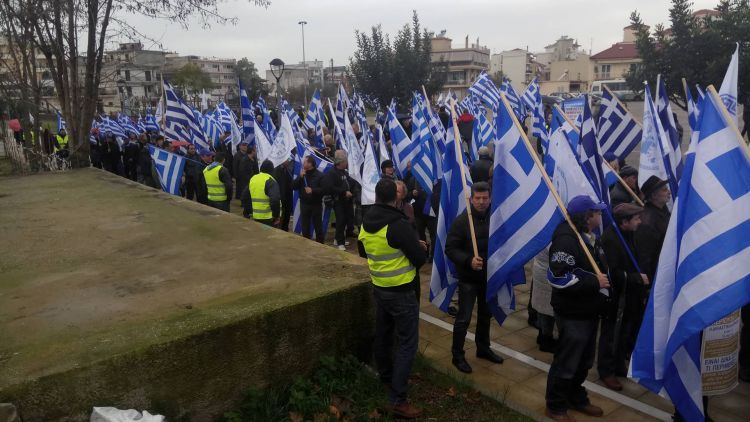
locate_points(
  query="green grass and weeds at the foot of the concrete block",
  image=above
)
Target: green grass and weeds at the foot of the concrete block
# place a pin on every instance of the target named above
(346, 390)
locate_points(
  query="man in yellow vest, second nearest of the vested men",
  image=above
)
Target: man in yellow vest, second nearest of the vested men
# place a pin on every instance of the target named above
(262, 198)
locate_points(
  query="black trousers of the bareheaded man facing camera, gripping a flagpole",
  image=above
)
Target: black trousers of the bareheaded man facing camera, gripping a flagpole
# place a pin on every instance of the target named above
(468, 294)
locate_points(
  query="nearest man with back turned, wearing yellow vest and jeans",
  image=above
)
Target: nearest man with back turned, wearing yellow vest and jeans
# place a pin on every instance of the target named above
(394, 256)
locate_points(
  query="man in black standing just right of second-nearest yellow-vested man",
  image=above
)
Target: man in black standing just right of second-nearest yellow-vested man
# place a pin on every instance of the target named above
(310, 198)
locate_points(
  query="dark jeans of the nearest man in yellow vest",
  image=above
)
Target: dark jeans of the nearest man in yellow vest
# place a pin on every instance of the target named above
(397, 312)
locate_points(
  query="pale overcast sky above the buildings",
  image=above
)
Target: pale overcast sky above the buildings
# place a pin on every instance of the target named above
(263, 34)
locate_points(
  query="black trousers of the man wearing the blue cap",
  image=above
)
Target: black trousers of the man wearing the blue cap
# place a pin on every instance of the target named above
(574, 357)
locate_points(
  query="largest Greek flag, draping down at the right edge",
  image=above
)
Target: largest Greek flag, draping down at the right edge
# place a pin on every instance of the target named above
(703, 274)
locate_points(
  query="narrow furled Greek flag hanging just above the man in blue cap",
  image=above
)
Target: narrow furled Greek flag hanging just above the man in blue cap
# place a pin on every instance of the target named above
(590, 156)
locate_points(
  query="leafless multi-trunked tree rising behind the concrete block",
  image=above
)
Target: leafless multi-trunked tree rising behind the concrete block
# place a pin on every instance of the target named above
(72, 34)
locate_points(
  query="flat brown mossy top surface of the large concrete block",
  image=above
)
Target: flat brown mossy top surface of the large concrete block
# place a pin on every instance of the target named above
(93, 265)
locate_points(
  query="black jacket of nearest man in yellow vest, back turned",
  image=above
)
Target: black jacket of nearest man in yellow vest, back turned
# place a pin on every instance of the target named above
(400, 235)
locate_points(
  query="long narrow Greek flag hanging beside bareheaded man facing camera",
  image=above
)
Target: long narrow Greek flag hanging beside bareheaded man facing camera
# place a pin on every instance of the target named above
(444, 278)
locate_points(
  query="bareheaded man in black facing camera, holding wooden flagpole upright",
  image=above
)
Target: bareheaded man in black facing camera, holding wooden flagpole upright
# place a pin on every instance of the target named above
(472, 277)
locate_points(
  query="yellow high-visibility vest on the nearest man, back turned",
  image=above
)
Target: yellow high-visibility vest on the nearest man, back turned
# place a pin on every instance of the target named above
(389, 267)
